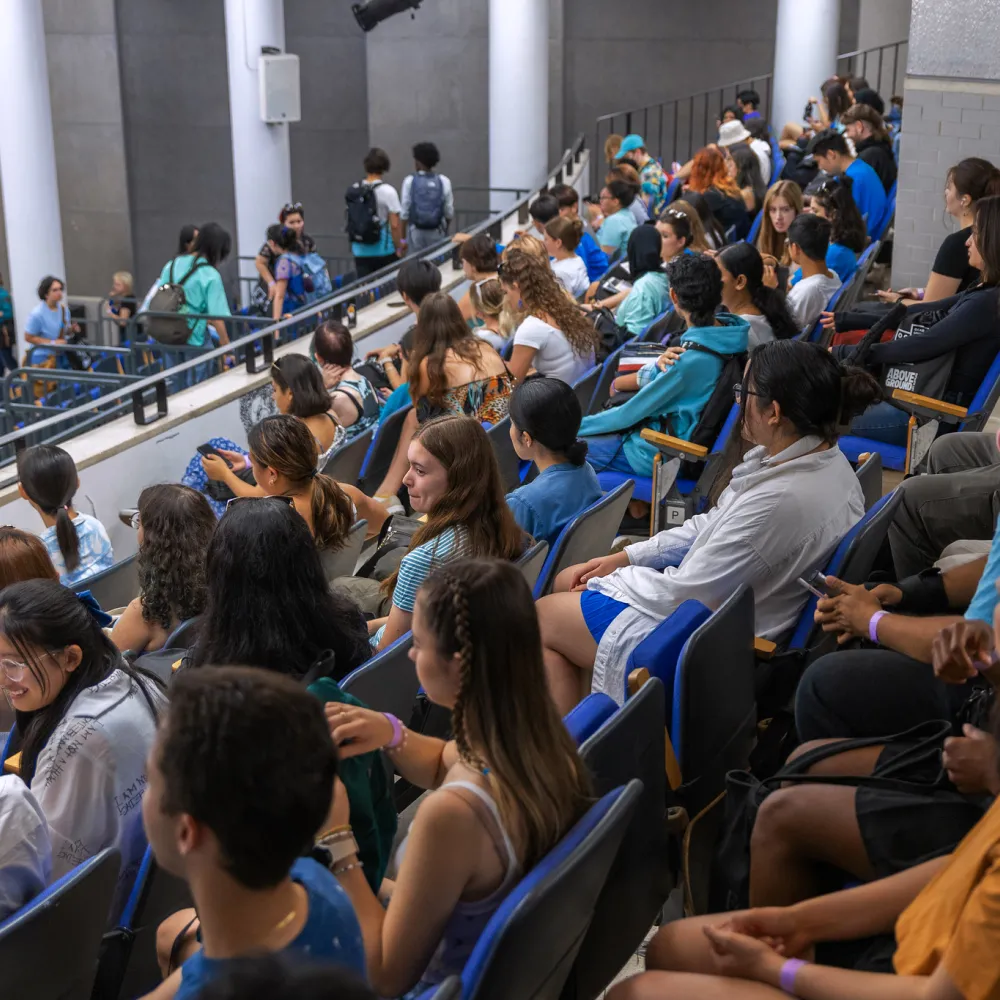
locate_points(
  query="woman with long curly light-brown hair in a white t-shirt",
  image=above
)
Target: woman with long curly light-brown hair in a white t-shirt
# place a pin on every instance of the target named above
(555, 337)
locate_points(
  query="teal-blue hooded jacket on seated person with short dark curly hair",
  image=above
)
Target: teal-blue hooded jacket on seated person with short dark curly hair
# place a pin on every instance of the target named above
(679, 393)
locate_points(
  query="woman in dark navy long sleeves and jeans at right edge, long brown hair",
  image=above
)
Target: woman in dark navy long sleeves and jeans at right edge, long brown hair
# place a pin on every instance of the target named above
(967, 329)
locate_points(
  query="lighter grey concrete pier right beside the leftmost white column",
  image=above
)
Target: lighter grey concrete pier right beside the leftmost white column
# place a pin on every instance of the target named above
(82, 50)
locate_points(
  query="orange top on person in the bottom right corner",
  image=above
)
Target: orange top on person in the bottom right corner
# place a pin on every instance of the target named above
(956, 918)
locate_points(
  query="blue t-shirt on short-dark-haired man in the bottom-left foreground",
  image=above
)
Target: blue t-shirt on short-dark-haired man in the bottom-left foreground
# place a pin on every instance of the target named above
(331, 933)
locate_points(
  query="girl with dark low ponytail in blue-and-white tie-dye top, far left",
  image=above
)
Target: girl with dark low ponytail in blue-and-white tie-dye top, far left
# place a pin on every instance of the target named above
(78, 544)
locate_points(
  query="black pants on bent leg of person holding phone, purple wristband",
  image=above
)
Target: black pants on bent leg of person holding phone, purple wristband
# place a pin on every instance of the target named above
(871, 692)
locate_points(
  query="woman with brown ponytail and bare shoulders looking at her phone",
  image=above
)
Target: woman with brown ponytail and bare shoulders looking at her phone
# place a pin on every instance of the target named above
(283, 457)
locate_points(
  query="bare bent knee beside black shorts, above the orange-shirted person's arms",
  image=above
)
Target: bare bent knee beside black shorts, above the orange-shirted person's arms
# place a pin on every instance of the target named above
(800, 833)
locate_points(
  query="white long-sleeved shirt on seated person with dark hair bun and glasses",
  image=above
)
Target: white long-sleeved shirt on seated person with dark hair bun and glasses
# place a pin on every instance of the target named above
(780, 518)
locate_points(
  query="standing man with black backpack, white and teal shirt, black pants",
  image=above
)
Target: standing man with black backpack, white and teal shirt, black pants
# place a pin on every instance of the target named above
(373, 218)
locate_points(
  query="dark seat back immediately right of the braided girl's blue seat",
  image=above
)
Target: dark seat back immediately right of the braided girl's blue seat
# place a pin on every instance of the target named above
(630, 745)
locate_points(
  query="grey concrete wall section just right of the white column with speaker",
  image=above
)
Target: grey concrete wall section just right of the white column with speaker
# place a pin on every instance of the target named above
(327, 146)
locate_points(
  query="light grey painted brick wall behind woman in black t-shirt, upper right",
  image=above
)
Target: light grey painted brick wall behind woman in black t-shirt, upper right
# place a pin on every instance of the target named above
(944, 121)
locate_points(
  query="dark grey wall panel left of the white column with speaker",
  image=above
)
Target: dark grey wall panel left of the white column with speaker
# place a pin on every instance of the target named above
(175, 100)
